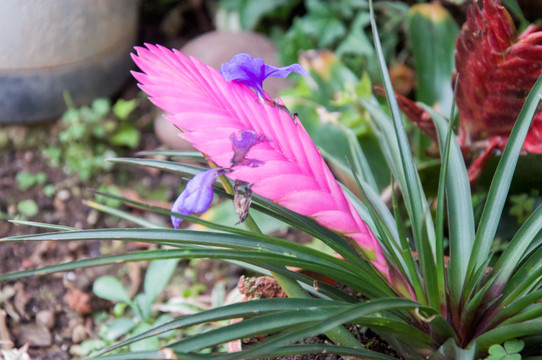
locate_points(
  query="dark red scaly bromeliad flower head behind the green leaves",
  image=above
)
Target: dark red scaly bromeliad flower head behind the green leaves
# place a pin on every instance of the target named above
(495, 69)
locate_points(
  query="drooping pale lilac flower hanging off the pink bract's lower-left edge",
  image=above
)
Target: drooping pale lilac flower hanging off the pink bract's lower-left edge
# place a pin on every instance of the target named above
(197, 195)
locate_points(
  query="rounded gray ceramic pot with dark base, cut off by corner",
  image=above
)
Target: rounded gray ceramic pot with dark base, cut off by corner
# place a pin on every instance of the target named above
(51, 46)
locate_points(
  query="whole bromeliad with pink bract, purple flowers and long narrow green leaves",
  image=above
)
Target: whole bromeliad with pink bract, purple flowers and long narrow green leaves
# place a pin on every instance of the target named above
(399, 283)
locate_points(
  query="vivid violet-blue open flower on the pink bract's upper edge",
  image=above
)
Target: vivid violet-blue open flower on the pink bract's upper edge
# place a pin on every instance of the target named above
(253, 71)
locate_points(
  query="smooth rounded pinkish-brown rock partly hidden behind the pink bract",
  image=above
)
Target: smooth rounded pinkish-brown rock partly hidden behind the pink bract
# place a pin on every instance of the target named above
(214, 48)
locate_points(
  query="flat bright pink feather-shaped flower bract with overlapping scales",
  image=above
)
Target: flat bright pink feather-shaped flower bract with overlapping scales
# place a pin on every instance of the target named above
(209, 109)
